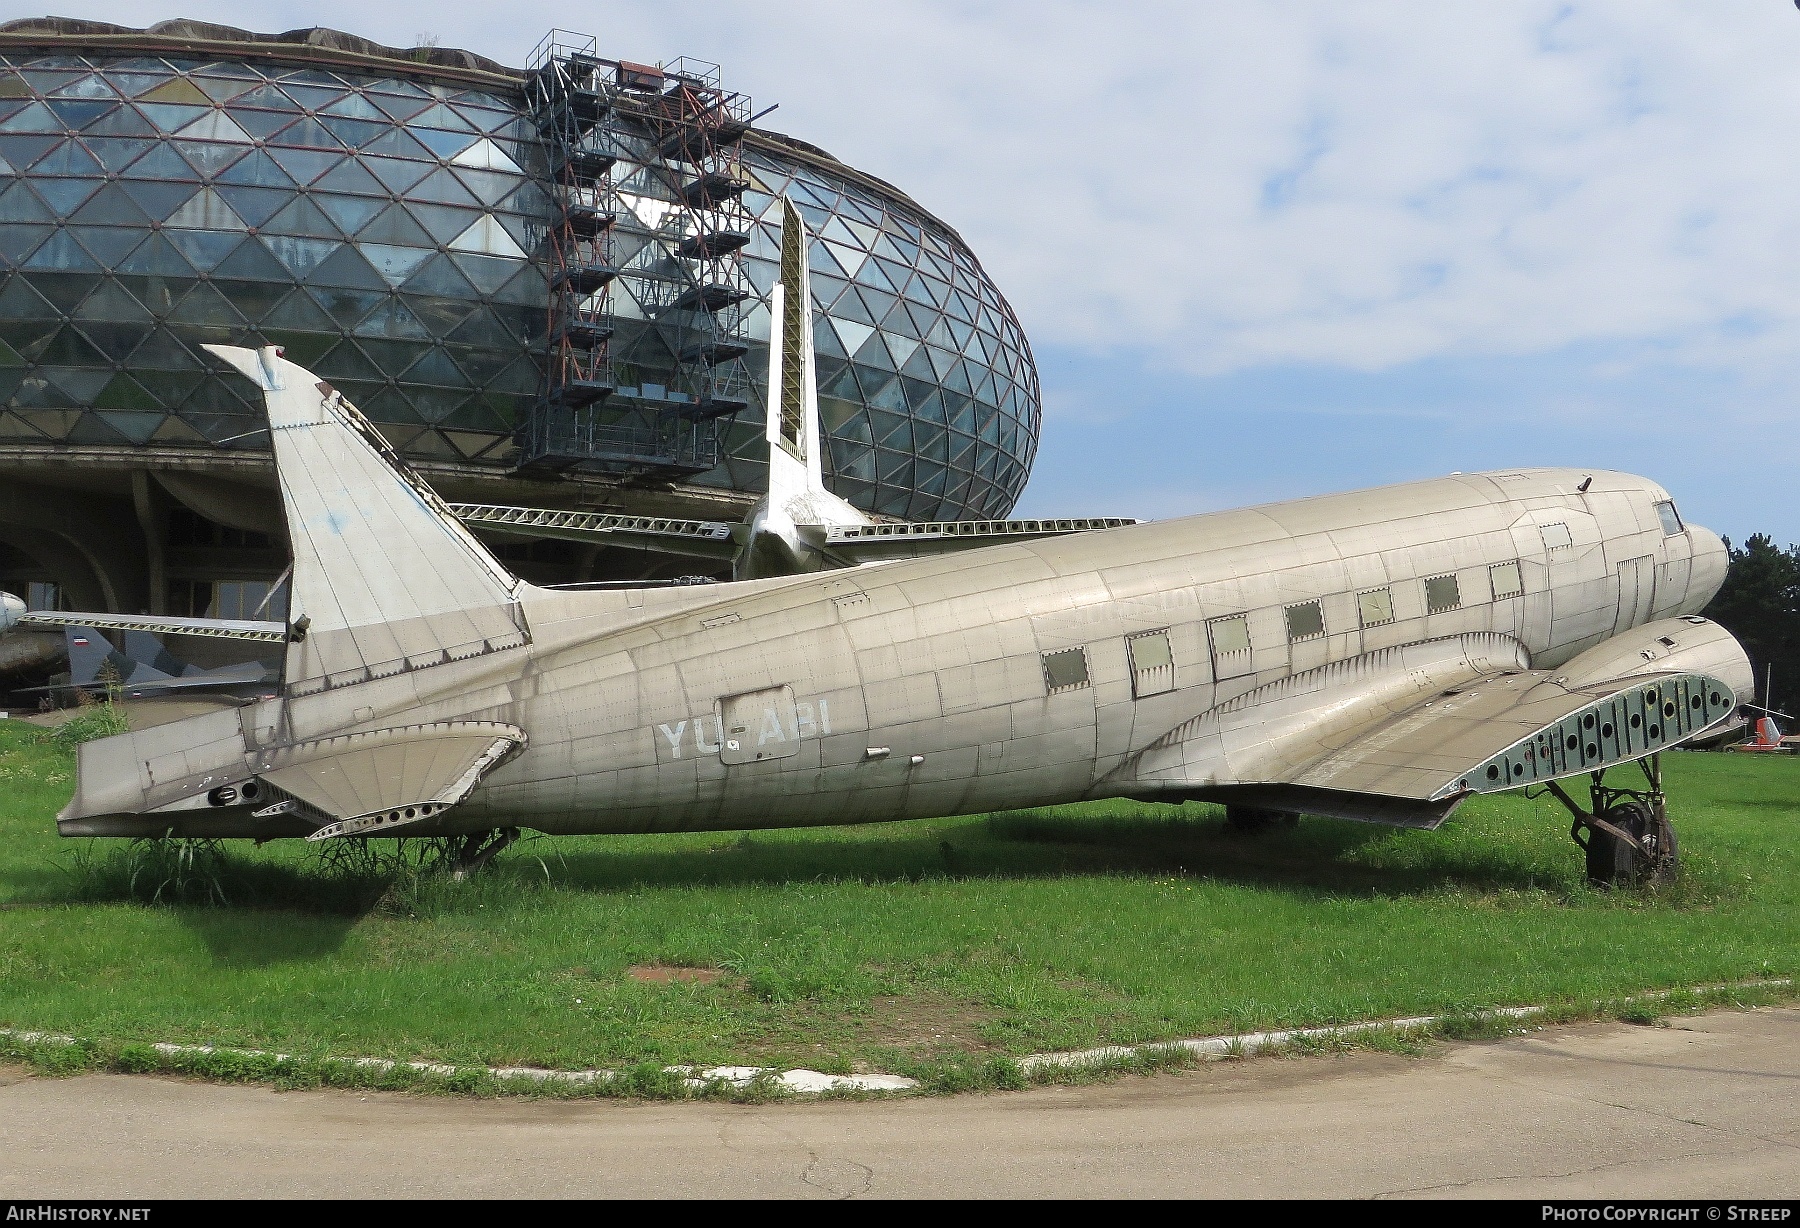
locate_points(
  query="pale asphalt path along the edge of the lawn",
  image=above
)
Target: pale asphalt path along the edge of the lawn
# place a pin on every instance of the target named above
(1702, 1108)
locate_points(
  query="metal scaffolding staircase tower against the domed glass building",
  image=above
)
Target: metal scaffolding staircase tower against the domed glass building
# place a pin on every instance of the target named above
(647, 293)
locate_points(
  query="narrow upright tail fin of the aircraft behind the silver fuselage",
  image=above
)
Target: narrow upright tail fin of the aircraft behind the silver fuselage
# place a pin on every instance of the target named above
(796, 474)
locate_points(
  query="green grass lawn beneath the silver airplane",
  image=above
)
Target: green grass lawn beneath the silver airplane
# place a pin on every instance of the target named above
(919, 948)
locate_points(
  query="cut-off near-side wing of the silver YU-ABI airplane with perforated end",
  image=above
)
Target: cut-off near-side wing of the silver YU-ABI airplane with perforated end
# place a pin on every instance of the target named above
(1407, 736)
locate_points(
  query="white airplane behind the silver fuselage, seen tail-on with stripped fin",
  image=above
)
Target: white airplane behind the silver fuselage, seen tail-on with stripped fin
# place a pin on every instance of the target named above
(800, 525)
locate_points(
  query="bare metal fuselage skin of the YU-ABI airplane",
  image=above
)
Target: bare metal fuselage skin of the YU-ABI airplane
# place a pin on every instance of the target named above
(922, 689)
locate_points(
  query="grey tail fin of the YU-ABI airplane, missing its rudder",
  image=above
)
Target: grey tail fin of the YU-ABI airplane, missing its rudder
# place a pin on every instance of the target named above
(386, 579)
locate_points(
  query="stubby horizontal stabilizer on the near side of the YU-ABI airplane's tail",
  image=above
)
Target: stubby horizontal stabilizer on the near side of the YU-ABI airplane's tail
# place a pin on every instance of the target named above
(388, 779)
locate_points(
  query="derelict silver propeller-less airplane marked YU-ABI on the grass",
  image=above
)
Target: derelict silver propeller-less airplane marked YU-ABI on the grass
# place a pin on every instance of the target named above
(1378, 656)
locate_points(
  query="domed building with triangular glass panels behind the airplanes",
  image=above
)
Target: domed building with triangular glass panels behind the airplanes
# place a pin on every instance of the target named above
(384, 215)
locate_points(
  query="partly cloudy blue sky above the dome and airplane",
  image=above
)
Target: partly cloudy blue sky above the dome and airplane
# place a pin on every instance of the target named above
(1266, 249)
